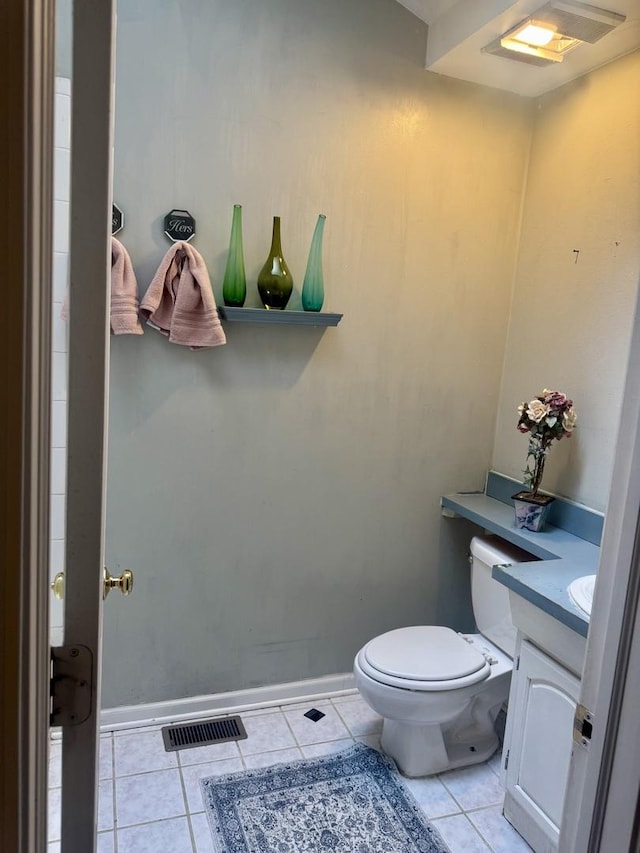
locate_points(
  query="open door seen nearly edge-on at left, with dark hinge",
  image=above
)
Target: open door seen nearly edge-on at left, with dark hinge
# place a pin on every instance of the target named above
(77, 710)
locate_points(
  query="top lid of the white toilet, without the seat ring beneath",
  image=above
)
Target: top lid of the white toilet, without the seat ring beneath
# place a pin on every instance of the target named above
(424, 653)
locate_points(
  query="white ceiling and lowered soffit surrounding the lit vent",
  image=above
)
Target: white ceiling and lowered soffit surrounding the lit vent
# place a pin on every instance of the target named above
(459, 29)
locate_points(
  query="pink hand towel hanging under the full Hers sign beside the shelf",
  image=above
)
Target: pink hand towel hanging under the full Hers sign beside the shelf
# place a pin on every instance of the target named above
(179, 302)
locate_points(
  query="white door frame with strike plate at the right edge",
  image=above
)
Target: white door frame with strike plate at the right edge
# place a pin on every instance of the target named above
(604, 779)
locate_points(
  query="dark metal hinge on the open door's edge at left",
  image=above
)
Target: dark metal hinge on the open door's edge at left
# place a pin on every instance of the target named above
(71, 685)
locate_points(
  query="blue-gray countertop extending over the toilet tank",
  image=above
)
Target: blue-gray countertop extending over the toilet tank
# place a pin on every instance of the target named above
(562, 556)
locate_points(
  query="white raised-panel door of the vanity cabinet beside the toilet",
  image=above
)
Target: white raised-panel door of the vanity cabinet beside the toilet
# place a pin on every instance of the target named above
(542, 706)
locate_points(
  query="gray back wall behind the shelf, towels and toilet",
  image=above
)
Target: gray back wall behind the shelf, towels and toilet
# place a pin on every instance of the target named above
(278, 497)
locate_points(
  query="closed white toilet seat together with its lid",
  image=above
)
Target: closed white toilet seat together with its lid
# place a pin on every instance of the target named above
(426, 658)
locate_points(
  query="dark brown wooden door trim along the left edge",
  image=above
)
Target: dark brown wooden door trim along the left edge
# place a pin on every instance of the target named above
(26, 193)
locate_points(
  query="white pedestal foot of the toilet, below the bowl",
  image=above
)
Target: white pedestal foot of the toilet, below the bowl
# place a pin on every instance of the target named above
(423, 750)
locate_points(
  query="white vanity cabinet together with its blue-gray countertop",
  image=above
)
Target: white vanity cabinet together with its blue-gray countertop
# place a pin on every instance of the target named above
(550, 650)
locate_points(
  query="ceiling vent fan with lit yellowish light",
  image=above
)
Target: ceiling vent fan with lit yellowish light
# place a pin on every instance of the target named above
(554, 30)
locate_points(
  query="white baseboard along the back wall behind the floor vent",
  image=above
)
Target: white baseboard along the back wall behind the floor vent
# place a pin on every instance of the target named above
(179, 710)
